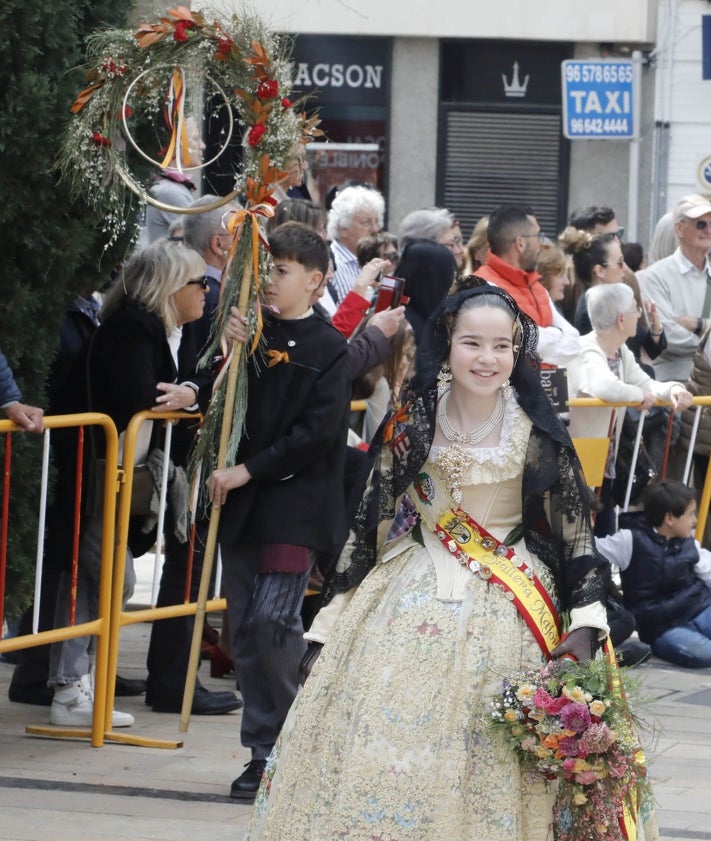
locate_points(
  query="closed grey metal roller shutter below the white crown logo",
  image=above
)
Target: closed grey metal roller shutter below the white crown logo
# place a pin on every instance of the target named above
(502, 158)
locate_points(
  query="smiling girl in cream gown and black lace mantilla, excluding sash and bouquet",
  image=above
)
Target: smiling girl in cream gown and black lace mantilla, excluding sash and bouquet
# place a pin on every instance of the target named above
(390, 737)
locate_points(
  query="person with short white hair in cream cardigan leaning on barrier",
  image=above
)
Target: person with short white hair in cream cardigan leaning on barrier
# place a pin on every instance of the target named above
(606, 368)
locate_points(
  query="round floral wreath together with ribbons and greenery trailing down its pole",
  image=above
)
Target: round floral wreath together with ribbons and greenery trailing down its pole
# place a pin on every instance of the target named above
(132, 119)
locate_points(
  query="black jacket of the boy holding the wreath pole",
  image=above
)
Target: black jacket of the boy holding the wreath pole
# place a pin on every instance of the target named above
(295, 440)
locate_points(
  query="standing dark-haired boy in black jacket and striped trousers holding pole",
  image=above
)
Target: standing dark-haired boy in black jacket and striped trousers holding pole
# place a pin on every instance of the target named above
(283, 500)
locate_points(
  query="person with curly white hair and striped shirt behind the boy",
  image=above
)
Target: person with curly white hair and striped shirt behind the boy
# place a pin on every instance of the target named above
(355, 213)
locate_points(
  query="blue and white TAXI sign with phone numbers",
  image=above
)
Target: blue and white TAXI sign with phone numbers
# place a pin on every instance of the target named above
(598, 99)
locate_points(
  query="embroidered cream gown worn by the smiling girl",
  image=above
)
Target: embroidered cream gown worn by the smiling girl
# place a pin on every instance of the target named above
(389, 739)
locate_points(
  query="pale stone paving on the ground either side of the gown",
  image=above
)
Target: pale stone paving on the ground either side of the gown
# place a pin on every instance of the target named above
(58, 790)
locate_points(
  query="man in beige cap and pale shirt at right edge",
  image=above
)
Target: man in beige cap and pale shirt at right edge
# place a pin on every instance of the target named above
(680, 285)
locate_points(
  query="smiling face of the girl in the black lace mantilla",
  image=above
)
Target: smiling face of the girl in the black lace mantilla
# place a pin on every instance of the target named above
(481, 355)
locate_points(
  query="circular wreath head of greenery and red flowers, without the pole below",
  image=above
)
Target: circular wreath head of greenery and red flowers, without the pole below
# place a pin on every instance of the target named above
(133, 111)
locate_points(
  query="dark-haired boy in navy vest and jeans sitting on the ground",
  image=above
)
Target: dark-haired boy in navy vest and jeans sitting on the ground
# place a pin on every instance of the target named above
(666, 575)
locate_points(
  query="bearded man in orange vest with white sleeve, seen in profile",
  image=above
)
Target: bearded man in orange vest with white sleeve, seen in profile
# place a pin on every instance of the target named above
(515, 242)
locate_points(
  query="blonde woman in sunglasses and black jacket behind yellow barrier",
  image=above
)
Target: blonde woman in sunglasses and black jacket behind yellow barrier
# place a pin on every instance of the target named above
(133, 366)
